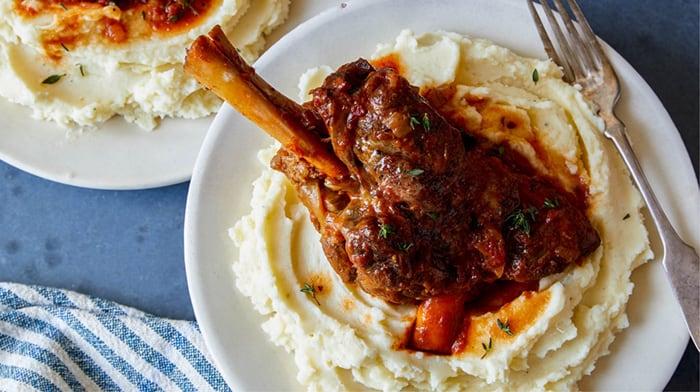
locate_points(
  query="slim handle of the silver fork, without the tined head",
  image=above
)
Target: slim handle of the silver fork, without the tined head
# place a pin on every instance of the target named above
(680, 260)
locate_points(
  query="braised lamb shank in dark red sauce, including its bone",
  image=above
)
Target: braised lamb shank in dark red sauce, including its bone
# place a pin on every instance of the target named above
(408, 206)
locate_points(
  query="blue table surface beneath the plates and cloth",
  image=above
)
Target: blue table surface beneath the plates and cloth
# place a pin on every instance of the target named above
(127, 246)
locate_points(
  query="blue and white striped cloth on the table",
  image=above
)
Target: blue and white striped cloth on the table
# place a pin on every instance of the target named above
(59, 340)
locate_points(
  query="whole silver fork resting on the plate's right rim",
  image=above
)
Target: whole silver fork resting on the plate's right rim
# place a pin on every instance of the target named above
(583, 61)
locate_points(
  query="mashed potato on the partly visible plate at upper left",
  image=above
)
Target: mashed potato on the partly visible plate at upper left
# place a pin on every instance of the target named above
(81, 86)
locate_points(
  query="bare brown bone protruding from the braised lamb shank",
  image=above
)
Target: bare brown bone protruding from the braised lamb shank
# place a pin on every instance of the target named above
(215, 63)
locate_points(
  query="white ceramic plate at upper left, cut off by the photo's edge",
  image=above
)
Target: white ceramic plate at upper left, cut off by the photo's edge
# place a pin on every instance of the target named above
(117, 155)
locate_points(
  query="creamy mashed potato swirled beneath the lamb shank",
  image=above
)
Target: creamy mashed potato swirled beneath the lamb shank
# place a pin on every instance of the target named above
(343, 339)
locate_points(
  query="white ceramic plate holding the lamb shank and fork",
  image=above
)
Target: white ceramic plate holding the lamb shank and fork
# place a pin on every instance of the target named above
(643, 356)
